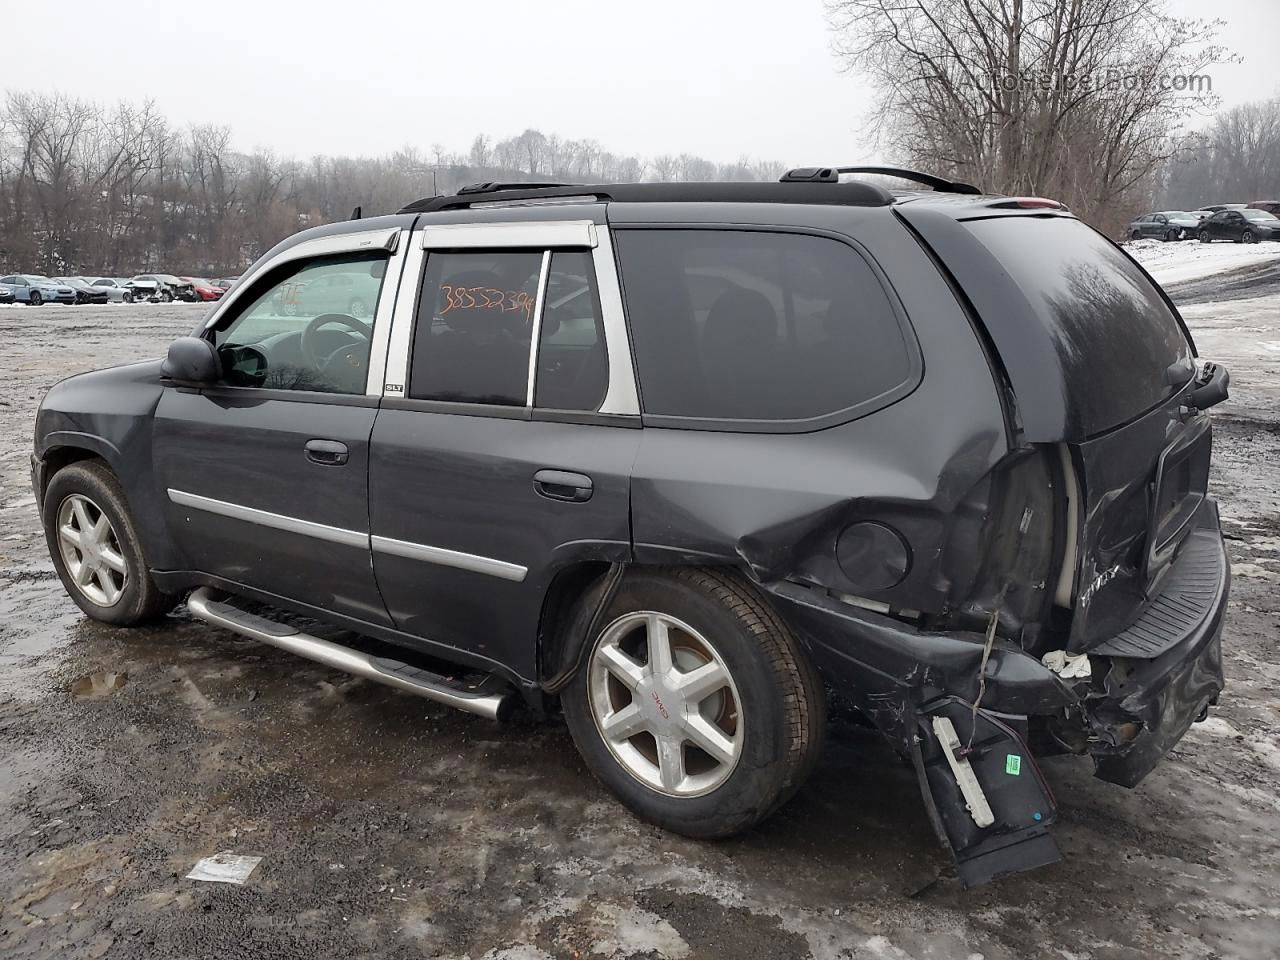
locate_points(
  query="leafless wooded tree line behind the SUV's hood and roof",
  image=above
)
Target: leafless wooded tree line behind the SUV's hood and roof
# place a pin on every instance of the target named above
(120, 190)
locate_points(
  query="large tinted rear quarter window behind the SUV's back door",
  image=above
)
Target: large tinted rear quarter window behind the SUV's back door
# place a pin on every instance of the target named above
(756, 326)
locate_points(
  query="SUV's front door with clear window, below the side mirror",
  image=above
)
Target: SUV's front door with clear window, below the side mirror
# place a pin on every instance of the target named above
(266, 477)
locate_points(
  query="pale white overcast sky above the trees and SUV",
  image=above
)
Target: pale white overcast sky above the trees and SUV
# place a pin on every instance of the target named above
(721, 80)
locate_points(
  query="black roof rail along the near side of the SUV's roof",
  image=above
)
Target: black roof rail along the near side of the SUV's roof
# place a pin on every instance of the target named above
(852, 194)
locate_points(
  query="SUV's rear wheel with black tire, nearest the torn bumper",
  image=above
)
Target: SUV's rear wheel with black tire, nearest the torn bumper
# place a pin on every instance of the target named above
(778, 716)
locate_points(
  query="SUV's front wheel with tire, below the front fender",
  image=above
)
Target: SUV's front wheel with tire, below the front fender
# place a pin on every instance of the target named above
(94, 488)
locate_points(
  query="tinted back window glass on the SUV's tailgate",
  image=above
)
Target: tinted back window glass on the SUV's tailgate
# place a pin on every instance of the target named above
(1114, 335)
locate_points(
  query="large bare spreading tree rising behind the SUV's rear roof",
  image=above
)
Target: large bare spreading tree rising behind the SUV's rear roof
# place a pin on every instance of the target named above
(1076, 99)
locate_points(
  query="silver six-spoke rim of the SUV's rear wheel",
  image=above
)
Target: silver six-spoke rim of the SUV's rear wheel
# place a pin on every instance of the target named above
(666, 705)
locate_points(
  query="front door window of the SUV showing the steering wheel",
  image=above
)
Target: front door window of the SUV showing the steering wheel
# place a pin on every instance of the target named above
(309, 327)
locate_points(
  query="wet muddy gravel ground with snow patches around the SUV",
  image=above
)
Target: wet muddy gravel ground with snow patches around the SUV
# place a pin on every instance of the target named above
(392, 828)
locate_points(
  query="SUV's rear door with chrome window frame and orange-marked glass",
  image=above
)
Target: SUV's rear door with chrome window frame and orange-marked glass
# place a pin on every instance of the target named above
(504, 450)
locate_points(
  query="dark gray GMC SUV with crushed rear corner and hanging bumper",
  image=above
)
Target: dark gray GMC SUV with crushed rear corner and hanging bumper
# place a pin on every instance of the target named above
(679, 460)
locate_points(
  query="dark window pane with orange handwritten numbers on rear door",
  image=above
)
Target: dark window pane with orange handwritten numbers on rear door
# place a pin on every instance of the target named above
(474, 327)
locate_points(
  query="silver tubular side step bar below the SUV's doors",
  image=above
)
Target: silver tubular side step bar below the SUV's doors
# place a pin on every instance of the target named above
(223, 614)
